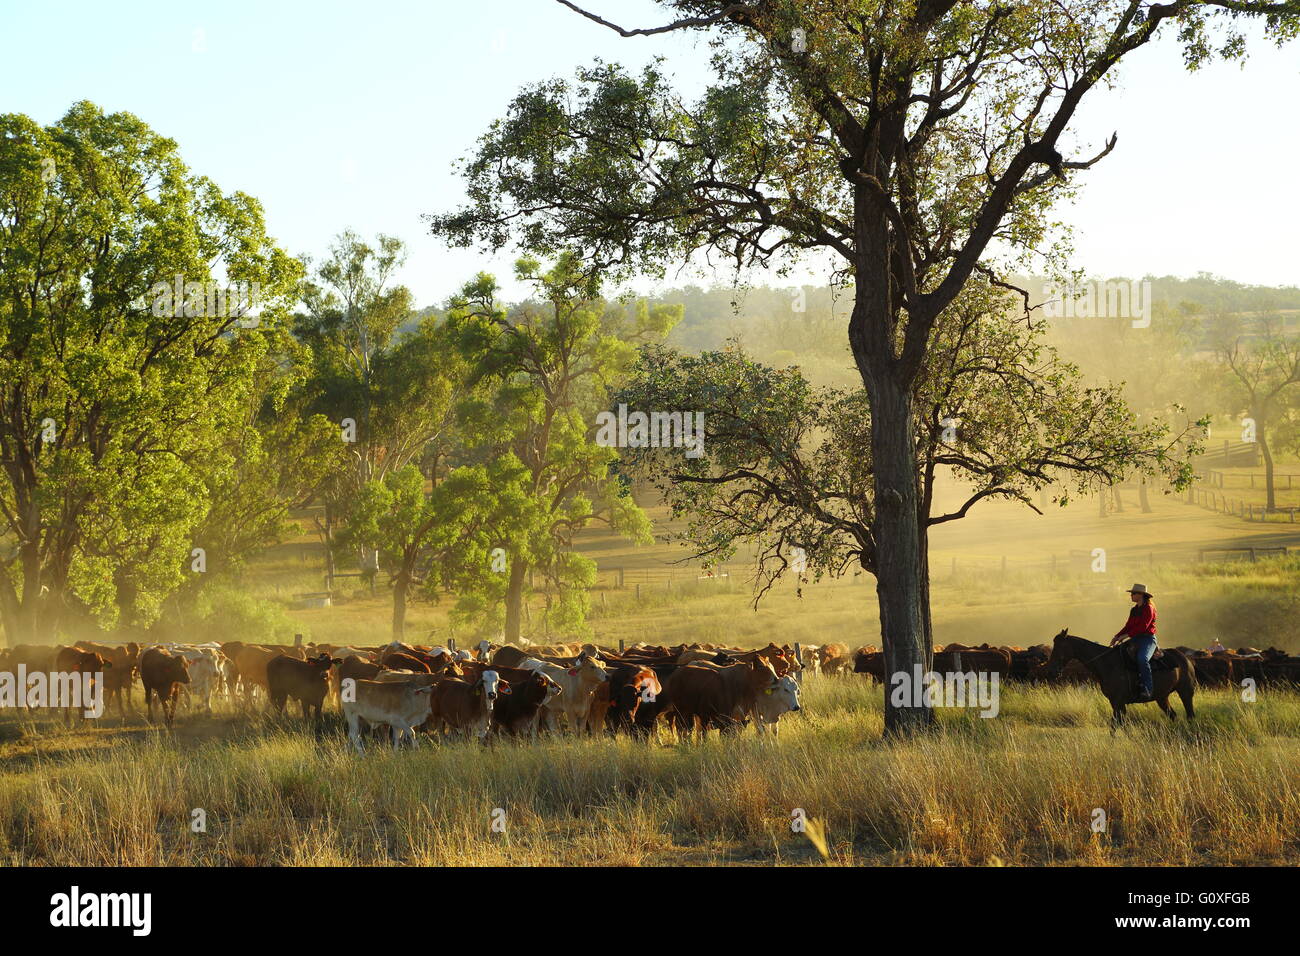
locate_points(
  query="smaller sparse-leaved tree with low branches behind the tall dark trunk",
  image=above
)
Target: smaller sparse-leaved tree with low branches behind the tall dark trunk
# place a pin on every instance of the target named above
(788, 466)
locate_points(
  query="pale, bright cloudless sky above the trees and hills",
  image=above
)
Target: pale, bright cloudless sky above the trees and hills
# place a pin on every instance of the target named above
(346, 115)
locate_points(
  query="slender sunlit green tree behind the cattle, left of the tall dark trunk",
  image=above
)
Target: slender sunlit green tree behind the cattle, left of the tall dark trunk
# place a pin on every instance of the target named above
(552, 362)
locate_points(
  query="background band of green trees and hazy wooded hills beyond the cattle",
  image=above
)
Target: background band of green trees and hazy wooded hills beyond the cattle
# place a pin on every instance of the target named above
(150, 451)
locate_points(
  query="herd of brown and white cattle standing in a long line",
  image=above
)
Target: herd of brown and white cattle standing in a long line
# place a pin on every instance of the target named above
(512, 691)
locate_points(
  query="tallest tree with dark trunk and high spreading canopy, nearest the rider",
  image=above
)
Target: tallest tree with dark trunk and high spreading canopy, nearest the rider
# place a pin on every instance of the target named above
(899, 140)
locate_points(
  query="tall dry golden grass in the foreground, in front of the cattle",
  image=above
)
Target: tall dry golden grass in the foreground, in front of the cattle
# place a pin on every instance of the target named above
(1019, 790)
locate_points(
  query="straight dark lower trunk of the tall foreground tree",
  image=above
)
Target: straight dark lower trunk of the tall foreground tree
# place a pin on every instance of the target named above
(900, 565)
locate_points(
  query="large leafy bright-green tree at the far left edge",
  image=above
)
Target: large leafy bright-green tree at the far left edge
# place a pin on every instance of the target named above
(129, 360)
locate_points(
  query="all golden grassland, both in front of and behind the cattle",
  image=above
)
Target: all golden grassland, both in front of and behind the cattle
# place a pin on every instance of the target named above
(1022, 789)
